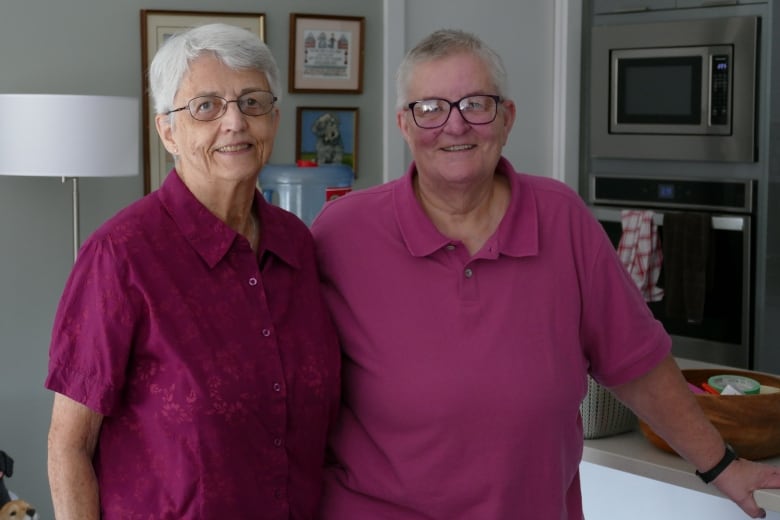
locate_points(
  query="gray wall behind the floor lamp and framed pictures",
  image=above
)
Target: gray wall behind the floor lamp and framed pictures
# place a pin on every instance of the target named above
(93, 47)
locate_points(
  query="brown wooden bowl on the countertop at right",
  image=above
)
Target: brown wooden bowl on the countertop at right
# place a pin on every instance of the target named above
(750, 423)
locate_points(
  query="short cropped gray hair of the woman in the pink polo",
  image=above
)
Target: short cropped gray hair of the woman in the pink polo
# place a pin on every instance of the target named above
(442, 44)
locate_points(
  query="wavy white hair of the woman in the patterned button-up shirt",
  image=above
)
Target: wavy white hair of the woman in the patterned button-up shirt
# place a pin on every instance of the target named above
(235, 47)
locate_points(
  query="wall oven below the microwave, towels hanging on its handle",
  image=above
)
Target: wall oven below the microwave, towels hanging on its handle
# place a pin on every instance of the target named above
(724, 334)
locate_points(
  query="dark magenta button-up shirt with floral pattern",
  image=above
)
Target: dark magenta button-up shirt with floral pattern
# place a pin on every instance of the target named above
(218, 375)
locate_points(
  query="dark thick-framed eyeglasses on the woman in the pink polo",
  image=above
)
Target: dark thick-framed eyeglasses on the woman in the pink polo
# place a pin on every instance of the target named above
(435, 112)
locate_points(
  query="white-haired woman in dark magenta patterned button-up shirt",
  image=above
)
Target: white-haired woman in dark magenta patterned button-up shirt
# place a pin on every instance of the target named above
(194, 364)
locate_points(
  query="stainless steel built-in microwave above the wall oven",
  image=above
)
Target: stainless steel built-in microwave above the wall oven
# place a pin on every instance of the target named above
(682, 90)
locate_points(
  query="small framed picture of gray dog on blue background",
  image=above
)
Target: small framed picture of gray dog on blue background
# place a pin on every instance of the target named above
(327, 135)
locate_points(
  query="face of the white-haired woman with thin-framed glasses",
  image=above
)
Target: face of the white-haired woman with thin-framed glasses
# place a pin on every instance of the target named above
(231, 148)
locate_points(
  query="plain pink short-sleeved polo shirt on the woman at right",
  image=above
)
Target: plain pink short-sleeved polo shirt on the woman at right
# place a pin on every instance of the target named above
(463, 375)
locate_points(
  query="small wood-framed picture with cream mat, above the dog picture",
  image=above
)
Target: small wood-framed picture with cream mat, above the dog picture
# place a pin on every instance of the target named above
(326, 54)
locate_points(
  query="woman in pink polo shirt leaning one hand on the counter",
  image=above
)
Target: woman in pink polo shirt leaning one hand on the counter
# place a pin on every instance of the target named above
(479, 302)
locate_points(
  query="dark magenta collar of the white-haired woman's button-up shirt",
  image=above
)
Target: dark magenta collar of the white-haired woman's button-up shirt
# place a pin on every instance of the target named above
(209, 236)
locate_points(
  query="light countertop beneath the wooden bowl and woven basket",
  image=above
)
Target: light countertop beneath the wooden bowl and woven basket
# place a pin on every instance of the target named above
(632, 453)
